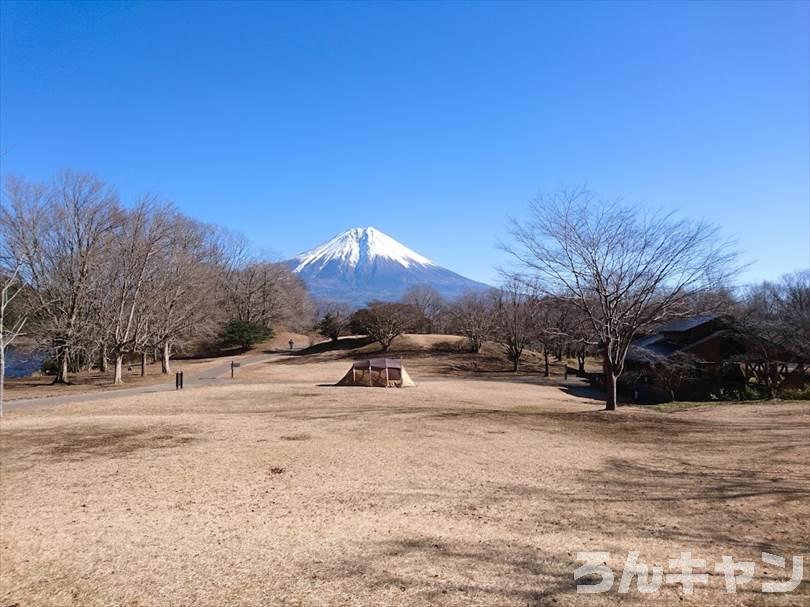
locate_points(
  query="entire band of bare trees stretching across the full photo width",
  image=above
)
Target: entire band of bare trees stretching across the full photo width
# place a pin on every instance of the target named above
(96, 281)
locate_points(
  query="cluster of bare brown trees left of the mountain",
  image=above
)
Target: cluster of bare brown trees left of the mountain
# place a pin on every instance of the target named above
(98, 281)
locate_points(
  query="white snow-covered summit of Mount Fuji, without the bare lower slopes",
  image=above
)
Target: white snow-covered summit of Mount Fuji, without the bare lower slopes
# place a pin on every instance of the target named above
(357, 246)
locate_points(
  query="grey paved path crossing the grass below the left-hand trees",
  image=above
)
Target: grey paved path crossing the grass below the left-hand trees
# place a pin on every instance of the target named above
(213, 376)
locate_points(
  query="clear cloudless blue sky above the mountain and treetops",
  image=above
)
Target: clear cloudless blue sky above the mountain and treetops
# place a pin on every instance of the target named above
(432, 122)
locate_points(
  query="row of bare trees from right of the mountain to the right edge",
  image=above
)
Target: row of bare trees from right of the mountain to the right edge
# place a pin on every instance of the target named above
(589, 276)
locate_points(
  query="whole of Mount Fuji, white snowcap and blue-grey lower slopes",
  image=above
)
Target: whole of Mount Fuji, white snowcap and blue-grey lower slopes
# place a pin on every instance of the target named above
(362, 264)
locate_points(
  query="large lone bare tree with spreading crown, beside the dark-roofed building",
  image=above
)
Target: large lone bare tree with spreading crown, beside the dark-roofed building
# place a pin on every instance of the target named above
(624, 267)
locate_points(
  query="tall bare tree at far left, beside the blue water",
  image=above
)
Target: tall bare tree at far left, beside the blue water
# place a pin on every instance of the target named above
(61, 236)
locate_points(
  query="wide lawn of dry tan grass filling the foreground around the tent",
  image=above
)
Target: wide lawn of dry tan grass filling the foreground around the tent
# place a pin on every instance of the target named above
(478, 487)
